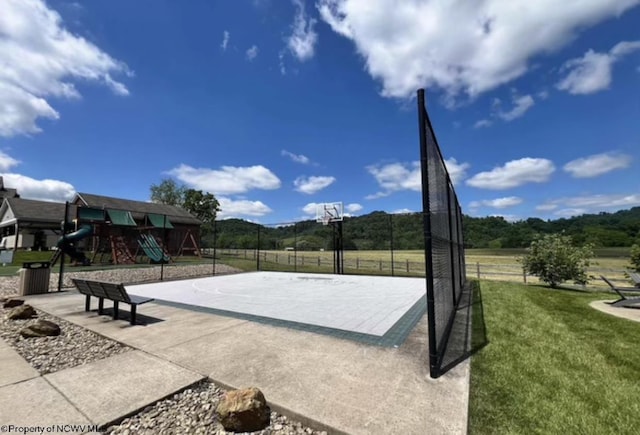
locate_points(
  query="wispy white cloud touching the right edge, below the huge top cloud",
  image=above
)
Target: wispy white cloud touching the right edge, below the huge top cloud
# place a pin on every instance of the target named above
(592, 72)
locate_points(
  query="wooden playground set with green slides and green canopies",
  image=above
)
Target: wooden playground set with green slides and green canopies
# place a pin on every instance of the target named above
(119, 237)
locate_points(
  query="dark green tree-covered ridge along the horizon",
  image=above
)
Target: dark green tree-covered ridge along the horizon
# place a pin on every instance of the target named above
(380, 230)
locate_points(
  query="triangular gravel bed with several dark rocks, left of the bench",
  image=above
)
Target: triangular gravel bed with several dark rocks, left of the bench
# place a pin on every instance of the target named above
(73, 347)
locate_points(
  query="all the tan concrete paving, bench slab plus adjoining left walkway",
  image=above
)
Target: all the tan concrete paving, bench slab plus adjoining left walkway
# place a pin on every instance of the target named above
(326, 382)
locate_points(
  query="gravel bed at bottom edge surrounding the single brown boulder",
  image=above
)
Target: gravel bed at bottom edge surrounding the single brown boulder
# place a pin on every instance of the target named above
(193, 412)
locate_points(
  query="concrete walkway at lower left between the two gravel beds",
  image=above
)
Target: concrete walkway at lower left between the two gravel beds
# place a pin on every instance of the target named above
(93, 394)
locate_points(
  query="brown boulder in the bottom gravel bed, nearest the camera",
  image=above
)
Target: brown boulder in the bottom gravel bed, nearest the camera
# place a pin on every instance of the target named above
(244, 410)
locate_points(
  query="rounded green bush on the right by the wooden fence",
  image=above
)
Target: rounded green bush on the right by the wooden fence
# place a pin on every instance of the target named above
(554, 259)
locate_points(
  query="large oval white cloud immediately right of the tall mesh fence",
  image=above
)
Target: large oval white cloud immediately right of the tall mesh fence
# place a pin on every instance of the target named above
(513, 174)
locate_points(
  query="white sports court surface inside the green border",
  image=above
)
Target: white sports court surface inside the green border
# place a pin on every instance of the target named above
(357, 303)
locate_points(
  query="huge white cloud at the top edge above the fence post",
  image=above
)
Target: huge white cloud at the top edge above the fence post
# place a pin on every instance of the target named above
(463, 47)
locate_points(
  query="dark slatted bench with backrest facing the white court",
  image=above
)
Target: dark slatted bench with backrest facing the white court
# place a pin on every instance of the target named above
(111, 291)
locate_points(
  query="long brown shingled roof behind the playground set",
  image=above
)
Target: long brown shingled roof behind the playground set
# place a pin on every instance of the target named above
(137, 208)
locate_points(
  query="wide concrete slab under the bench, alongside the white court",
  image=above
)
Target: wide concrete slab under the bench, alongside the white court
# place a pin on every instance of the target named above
(334, 384)
